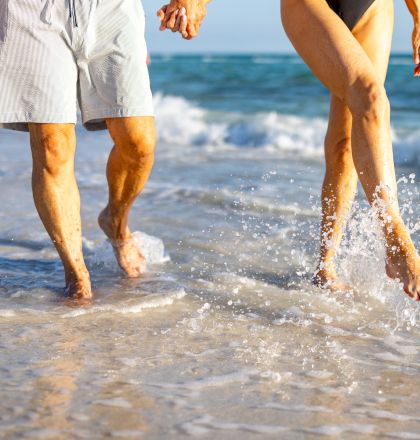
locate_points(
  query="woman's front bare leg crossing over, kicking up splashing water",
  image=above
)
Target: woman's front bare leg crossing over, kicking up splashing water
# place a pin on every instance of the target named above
(338, 60)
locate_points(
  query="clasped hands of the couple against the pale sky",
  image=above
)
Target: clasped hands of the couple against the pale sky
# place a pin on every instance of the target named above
(184, 16)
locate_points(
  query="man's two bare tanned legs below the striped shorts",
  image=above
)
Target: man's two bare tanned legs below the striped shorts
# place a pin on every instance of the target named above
(57, 199)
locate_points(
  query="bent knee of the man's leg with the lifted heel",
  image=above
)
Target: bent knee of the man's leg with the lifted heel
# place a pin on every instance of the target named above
(137, 141)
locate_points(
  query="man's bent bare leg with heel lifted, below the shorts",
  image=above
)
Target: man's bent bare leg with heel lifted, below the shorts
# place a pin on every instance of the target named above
(128, 169)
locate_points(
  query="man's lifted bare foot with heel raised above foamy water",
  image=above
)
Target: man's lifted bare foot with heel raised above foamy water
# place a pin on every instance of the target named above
(125, 248)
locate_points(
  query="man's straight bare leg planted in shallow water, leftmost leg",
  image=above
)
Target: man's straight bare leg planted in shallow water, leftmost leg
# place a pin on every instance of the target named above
(57, 199)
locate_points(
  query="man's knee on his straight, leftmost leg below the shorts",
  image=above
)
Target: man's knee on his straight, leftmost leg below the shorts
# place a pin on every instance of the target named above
(53, 150)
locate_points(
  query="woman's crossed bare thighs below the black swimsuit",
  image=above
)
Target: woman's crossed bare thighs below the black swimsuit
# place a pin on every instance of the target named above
(330, 49)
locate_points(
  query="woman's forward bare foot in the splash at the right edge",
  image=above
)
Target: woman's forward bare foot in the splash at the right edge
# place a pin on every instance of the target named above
(403, 263)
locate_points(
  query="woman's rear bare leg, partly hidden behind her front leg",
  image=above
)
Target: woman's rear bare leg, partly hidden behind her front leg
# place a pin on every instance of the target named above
(340, 181)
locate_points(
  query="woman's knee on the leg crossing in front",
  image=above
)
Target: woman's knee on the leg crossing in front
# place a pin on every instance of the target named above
(367, 99)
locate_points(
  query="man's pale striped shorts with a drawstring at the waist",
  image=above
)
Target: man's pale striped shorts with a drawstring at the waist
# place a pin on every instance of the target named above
(56, 55)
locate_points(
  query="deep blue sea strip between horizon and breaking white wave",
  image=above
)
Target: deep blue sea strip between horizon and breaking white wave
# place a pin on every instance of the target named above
(267, 82)
